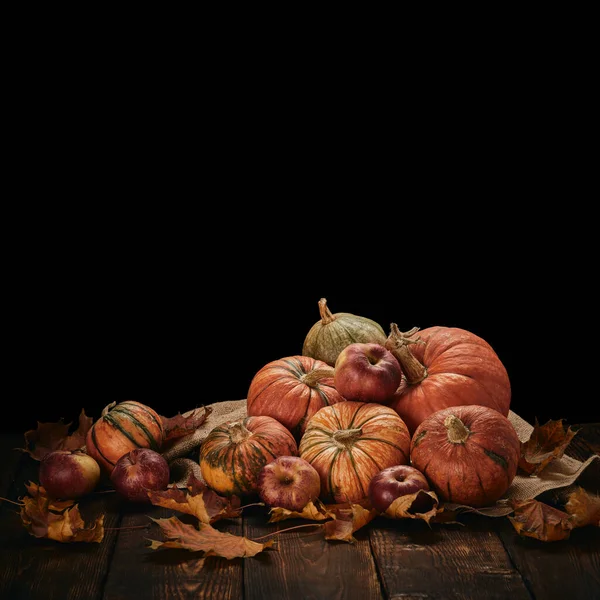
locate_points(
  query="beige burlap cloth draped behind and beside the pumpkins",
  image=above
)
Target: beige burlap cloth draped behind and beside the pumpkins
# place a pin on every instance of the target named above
(560, 473)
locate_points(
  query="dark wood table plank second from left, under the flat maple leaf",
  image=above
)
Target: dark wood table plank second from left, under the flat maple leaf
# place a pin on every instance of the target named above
(168, 573)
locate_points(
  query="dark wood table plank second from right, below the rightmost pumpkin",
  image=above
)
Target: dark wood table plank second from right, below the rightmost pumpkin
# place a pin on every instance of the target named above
(445, 561)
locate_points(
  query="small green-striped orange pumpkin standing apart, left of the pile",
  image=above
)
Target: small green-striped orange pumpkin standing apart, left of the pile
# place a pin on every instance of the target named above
(121, 428)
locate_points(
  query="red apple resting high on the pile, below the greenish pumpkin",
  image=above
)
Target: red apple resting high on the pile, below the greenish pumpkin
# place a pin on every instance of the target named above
(367, 373)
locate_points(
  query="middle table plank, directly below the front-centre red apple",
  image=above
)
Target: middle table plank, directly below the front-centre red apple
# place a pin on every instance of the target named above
(306, 565)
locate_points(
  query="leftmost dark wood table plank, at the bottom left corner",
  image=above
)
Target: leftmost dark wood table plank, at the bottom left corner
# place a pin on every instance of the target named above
(32, 568)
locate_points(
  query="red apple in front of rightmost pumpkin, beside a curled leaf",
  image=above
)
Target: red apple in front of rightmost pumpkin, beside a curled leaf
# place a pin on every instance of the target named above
(394, 482)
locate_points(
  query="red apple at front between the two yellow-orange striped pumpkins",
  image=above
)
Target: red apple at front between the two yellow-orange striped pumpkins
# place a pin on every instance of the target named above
(289, 482)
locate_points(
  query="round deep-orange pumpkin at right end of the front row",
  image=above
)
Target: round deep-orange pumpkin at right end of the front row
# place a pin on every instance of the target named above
(469, 454)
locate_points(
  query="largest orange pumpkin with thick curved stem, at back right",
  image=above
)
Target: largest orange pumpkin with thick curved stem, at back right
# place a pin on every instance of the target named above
(445, 366)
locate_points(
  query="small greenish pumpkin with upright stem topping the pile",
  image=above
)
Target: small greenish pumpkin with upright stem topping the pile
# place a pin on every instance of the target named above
(329, 336)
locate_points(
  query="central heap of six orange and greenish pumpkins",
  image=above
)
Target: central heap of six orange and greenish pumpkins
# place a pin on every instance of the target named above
(446, 415)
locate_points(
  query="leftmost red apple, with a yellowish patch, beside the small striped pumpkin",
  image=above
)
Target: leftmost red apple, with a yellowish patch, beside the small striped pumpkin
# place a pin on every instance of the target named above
(68, 474)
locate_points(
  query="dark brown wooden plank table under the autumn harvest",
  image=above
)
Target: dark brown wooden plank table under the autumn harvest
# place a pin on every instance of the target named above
(482, 558)
